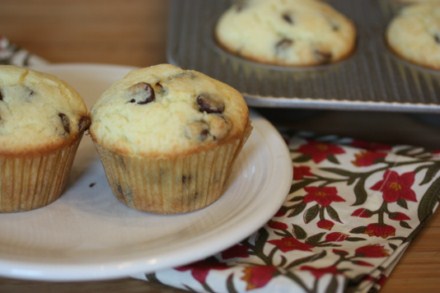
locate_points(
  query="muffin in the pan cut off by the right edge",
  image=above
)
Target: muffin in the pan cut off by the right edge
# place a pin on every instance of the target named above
(414, 34)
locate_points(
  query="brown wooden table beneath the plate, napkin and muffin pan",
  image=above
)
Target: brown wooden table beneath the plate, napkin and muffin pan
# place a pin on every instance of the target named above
(134, 33)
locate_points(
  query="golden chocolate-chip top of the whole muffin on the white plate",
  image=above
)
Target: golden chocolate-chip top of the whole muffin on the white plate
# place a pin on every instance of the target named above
(164, 110)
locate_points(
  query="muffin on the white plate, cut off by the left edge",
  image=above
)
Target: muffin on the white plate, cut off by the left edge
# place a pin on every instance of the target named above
(42, 120)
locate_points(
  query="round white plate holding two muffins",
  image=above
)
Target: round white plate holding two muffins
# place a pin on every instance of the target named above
(88, 235)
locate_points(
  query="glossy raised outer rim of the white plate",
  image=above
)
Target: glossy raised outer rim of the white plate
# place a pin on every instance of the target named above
(280, 158)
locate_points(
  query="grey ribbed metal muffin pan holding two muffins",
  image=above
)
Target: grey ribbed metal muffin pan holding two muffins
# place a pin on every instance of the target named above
(372, 78)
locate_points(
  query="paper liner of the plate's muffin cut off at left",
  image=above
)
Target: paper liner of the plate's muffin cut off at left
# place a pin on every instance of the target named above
(30, 182)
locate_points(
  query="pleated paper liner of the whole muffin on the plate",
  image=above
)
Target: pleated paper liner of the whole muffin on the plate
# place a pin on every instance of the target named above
(173, 185)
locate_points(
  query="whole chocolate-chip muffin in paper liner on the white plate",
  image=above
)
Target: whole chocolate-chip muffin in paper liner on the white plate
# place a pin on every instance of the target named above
(168, 137)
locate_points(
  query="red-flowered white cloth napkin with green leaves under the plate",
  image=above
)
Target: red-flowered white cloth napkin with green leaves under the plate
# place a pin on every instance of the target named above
(352, 210)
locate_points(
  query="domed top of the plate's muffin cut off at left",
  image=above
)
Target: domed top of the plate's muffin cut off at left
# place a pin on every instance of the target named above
(38, 112)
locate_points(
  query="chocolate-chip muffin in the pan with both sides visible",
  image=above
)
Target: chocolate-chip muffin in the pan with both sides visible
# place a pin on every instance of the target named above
(286, 32)
